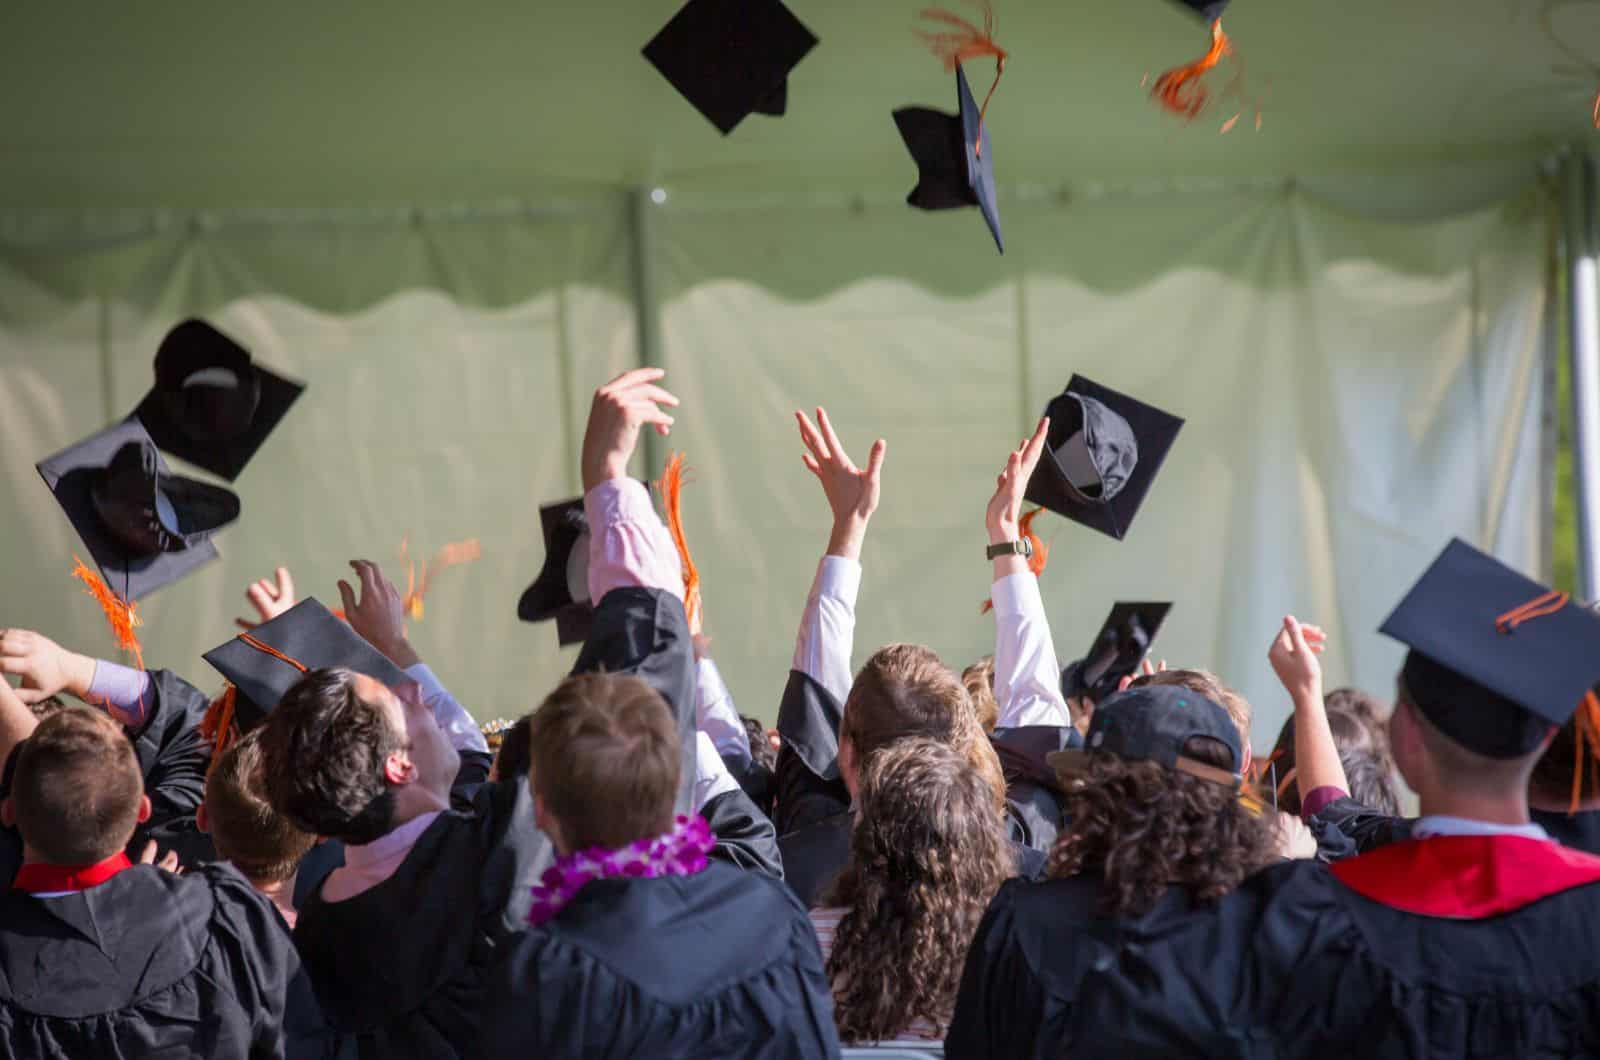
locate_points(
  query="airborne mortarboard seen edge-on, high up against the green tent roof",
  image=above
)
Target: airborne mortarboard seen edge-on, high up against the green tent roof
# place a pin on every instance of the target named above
(954, 158)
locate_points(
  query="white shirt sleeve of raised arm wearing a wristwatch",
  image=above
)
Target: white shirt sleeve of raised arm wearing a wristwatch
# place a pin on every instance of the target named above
(1028, 678)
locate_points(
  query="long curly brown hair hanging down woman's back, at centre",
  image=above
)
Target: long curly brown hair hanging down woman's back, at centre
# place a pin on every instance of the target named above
(927, 856)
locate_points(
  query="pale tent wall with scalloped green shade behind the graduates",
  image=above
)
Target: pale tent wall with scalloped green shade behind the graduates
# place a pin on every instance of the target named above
(1356, 390)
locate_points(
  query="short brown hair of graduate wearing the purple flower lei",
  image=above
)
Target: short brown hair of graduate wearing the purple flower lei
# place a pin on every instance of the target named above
(606, 760)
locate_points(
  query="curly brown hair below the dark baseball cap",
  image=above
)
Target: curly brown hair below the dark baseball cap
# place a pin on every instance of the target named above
(1145, 829)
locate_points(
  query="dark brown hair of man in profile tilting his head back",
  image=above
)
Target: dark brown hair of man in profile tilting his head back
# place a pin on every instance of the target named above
(324, 752)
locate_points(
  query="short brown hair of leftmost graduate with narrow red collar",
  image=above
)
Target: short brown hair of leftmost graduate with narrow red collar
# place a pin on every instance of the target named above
(78, 787)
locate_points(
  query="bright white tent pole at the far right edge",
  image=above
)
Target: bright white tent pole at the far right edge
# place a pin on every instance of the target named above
(1583, 289)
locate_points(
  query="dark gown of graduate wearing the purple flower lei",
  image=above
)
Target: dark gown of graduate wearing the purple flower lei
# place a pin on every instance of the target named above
(719, 965)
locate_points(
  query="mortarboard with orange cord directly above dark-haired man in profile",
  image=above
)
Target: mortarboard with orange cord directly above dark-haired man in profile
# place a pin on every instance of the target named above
(305, 638)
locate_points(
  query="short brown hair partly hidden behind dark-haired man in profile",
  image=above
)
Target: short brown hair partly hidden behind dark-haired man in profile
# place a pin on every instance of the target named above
(262, 843)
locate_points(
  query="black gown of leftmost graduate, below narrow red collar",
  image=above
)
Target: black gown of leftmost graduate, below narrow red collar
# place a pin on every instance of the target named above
(148, 965)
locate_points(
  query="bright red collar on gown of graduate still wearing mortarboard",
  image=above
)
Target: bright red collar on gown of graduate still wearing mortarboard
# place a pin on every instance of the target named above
(1466, 877)
